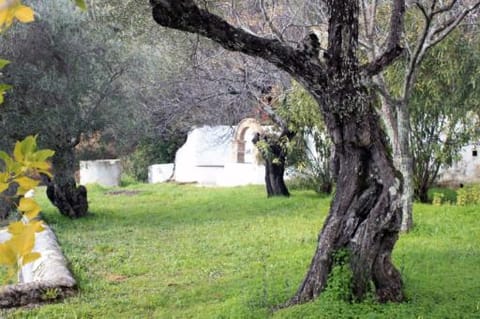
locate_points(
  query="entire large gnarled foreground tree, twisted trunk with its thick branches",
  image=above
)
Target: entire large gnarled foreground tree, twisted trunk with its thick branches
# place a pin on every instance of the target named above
(365, 214)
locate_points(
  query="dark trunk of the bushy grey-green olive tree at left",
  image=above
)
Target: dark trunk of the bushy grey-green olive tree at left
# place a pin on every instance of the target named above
(62, 191)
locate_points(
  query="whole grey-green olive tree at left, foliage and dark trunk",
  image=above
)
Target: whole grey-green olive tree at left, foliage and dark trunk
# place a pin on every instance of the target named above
(66, 84)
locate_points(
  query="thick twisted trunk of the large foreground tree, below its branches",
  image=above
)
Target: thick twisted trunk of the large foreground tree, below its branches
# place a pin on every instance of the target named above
(365, 215)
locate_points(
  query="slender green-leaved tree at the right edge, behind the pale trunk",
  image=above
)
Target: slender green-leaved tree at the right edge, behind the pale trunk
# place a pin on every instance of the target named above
(442, 108)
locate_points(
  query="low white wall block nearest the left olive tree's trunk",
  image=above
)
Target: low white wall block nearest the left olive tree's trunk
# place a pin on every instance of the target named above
(103, 172)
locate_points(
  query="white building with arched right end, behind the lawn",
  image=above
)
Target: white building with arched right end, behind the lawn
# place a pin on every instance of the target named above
(220, 156)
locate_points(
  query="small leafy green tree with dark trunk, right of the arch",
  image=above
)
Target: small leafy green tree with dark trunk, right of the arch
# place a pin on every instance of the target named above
(298, 139)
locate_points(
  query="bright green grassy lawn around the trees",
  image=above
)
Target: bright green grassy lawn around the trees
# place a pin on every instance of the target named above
(169, 251)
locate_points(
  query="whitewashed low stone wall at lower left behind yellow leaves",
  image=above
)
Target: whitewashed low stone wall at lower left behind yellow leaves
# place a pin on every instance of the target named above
(46, 279)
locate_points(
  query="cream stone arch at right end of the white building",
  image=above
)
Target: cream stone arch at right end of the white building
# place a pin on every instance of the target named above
(243, 148)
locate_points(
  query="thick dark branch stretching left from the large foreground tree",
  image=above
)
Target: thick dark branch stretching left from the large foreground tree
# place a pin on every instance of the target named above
(185, 15)
